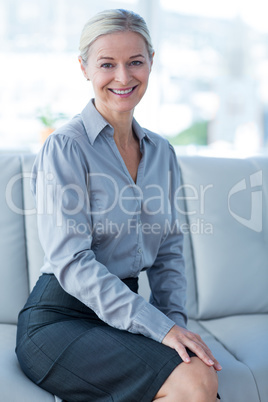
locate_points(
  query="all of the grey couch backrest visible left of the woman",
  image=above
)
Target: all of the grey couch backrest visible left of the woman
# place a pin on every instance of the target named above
(21, 253)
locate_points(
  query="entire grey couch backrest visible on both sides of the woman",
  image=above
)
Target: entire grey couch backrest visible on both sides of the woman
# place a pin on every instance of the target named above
(223, 215)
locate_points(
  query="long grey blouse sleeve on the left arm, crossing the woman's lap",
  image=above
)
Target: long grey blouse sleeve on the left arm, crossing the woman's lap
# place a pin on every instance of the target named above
(65, 200)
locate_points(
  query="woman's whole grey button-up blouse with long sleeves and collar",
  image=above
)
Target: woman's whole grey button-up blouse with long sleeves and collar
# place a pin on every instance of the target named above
(96, 225)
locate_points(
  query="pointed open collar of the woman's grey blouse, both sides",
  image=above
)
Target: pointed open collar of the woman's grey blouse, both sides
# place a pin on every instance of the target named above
(94, 123)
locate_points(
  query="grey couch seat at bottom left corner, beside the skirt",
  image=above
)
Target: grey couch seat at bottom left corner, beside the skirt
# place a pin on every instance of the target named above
(14, 385)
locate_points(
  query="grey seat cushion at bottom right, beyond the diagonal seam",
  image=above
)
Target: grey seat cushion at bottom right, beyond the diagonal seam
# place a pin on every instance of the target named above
(246, 338)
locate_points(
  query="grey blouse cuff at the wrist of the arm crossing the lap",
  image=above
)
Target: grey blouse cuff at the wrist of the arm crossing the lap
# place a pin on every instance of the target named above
(151, 323)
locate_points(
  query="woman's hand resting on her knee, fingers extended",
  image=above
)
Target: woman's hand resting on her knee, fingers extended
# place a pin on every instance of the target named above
(179, 338)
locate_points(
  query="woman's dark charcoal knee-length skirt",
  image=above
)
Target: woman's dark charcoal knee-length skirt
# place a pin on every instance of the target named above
(66, 349)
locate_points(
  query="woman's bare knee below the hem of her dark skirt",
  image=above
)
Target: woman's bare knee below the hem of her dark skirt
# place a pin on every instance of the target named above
(193, 382)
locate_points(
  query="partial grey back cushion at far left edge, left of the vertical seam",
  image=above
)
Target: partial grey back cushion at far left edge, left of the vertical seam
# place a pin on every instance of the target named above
(13, 267)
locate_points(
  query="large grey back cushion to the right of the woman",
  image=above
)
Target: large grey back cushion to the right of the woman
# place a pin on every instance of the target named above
(227, 208)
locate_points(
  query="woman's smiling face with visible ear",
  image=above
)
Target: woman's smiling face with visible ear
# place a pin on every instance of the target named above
(119, 67)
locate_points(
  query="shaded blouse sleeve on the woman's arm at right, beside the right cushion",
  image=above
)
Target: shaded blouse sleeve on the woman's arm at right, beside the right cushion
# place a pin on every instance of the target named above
(167, 276)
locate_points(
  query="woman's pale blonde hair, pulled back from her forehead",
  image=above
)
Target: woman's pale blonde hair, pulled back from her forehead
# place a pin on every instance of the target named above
(111, 21)
